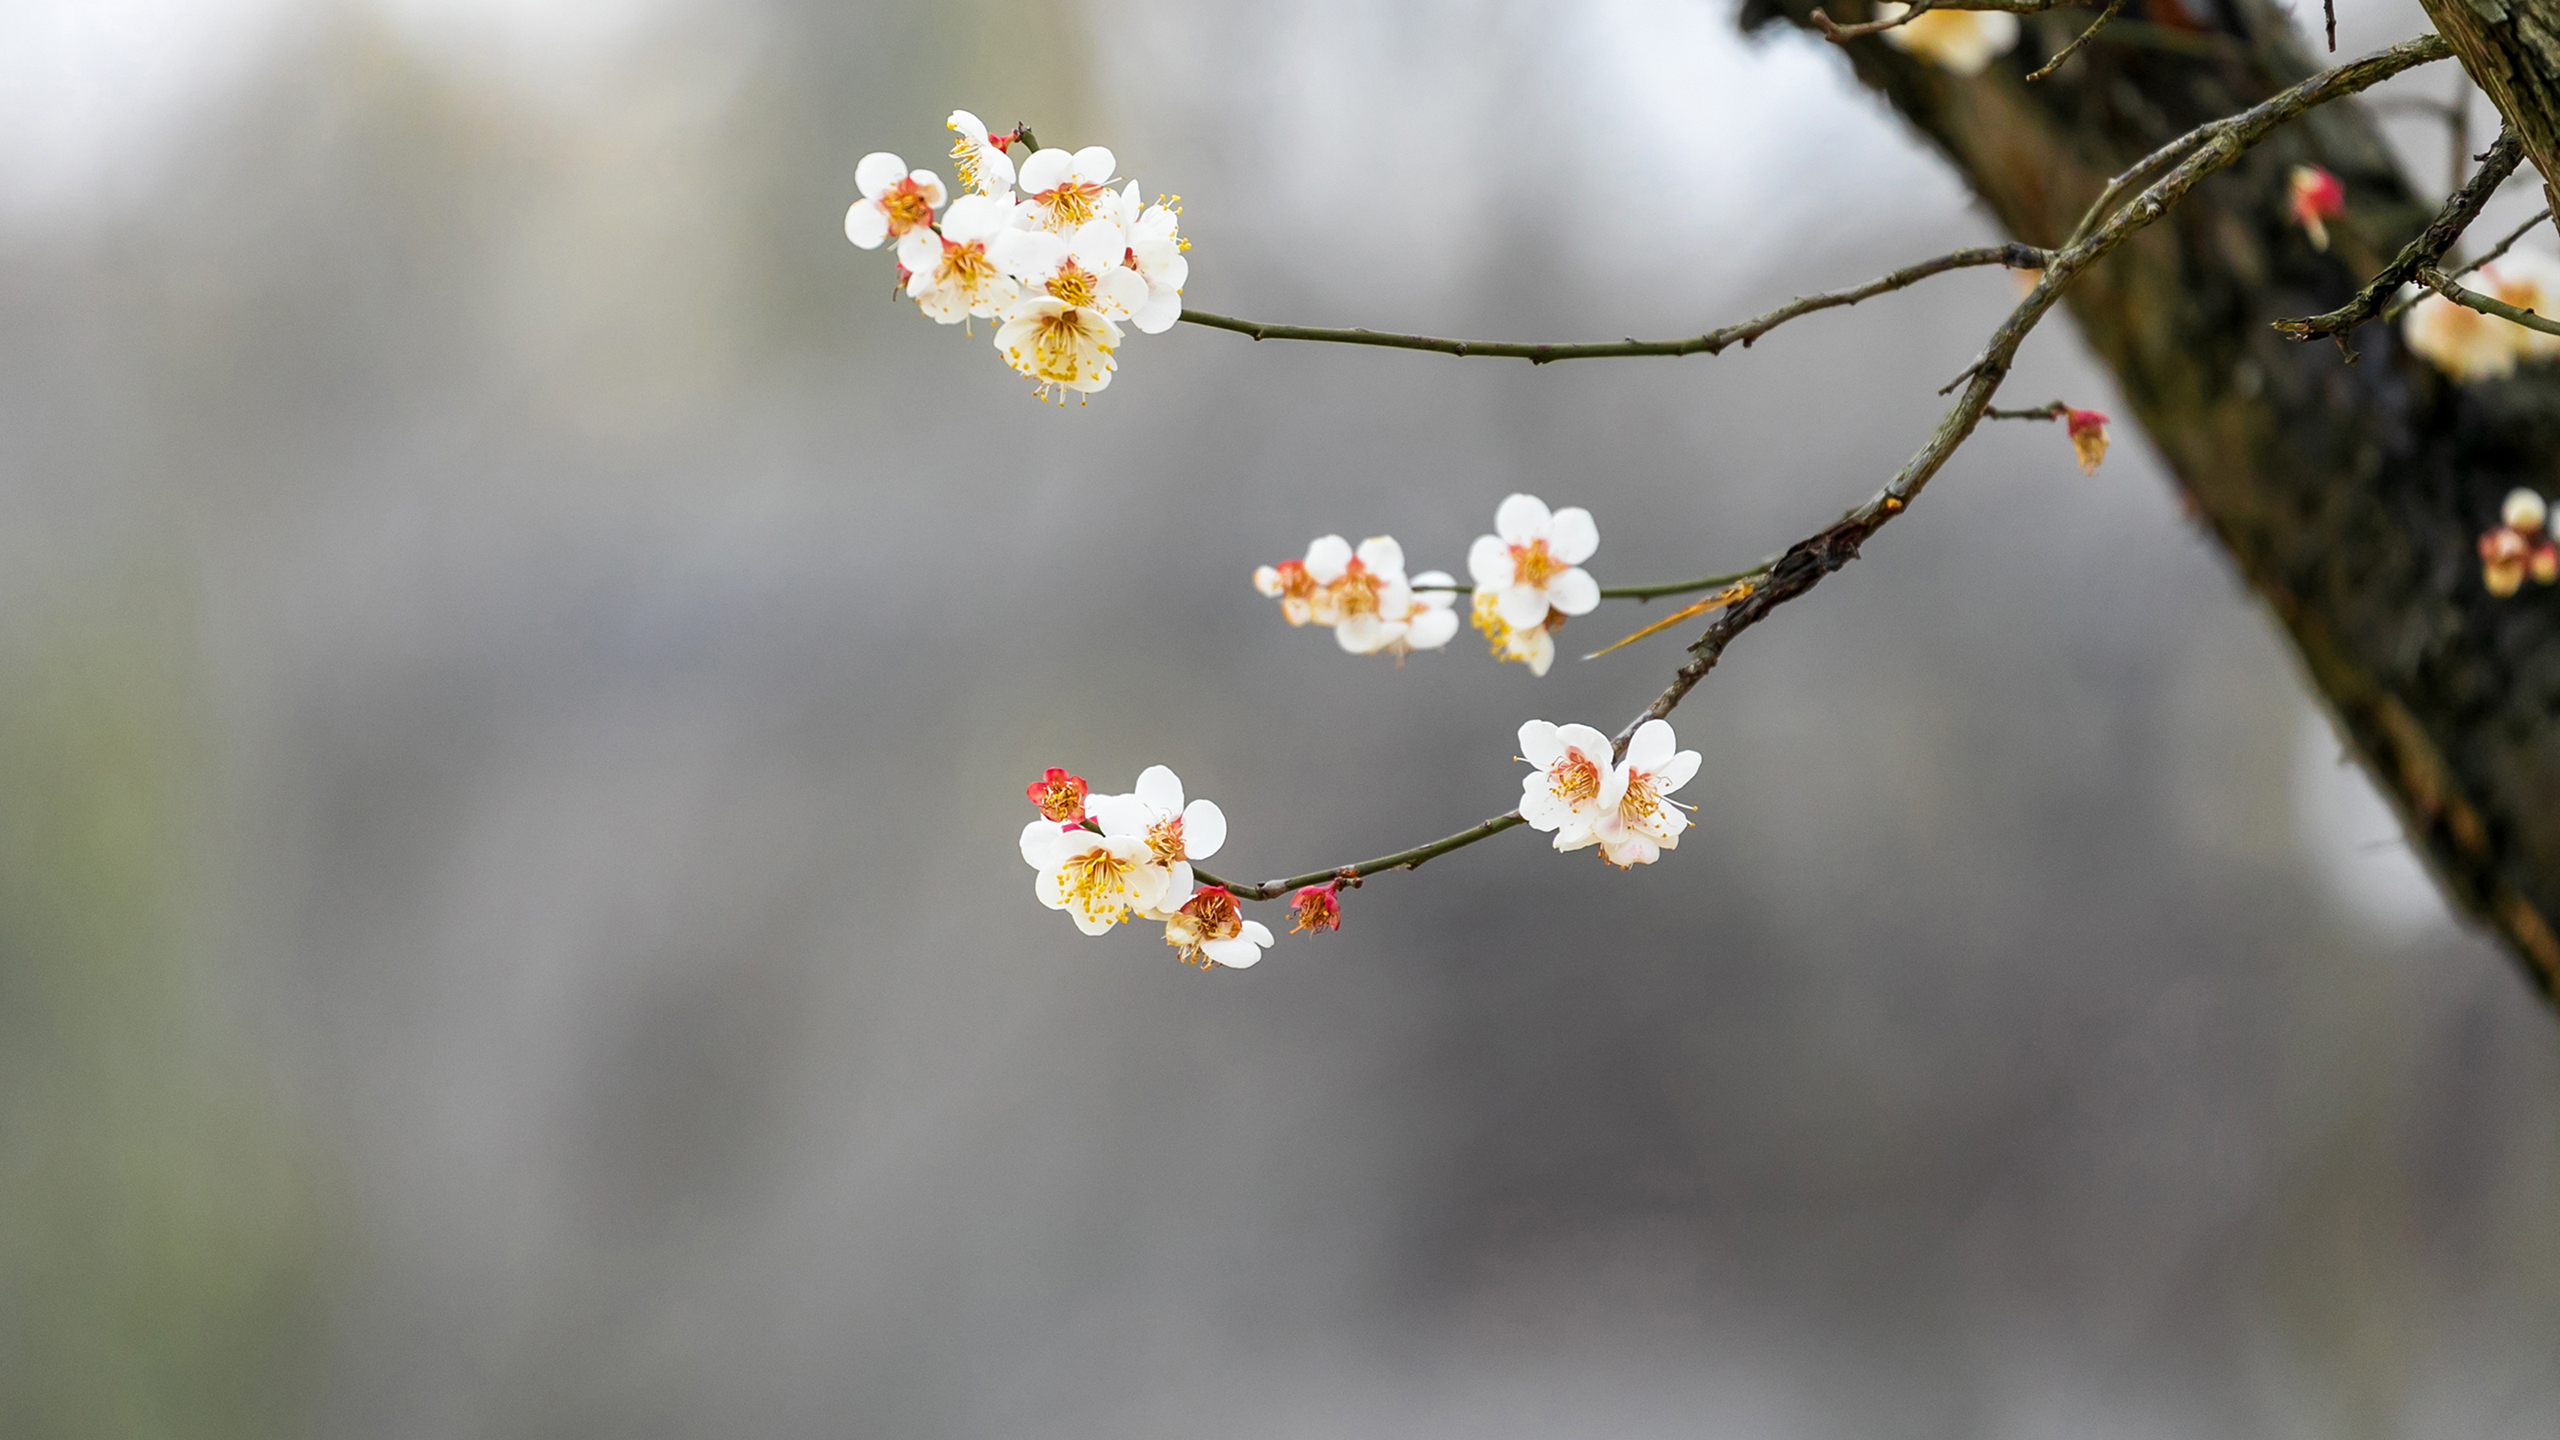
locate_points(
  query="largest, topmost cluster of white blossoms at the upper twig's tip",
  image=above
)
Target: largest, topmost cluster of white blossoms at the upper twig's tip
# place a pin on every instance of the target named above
(1064, 268)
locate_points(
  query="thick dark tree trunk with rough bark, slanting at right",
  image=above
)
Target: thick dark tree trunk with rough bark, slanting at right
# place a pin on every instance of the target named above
(2349, 496)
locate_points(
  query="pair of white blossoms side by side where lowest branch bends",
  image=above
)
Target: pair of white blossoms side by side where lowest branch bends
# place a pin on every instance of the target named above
(1578, 793)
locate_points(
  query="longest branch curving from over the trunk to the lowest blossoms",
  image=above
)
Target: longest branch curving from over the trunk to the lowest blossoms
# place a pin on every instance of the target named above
(1837, 544)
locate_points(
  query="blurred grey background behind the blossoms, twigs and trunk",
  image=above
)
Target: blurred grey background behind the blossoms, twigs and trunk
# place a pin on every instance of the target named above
(518, 665)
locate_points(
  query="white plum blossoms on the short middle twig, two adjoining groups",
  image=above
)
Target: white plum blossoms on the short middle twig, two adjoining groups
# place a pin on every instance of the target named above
(1527, 583)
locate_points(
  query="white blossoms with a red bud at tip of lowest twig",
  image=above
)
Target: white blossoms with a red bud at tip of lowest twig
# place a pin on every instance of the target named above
(1120, 857)
